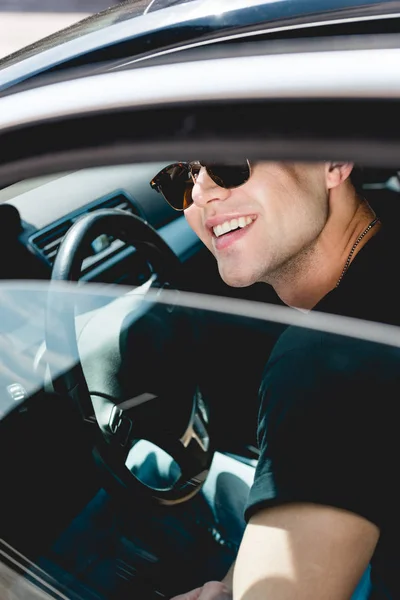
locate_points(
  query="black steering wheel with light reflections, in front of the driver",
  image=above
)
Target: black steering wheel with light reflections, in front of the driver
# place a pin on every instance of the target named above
(130, 385)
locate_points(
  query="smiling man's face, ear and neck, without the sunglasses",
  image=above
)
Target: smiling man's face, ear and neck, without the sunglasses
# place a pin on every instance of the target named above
(301, 222)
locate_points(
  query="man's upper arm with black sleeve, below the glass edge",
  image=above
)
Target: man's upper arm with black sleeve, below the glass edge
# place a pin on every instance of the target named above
(314, 513)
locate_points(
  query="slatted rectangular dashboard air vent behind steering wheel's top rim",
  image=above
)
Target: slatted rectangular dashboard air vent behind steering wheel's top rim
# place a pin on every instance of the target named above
(47, 242)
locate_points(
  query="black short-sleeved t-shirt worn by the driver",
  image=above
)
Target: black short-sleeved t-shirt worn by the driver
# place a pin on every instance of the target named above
(328, 430)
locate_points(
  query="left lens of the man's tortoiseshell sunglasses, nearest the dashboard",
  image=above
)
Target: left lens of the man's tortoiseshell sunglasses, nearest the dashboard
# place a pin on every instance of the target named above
(176, 184)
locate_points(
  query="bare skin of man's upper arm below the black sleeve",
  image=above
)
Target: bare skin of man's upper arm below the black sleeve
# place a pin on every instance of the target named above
(303, 551)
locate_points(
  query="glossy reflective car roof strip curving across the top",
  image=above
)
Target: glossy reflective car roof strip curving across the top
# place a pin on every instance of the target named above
(136, 27)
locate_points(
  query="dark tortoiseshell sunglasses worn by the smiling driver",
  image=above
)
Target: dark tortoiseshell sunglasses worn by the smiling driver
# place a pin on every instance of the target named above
(176, 181)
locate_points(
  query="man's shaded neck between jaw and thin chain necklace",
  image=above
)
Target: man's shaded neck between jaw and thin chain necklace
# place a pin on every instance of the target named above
(304, 280)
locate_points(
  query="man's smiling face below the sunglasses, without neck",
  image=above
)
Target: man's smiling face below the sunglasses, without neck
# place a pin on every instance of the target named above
(284, 207)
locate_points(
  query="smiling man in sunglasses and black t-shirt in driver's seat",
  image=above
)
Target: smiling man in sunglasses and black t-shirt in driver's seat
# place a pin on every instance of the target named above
(315, 512)
